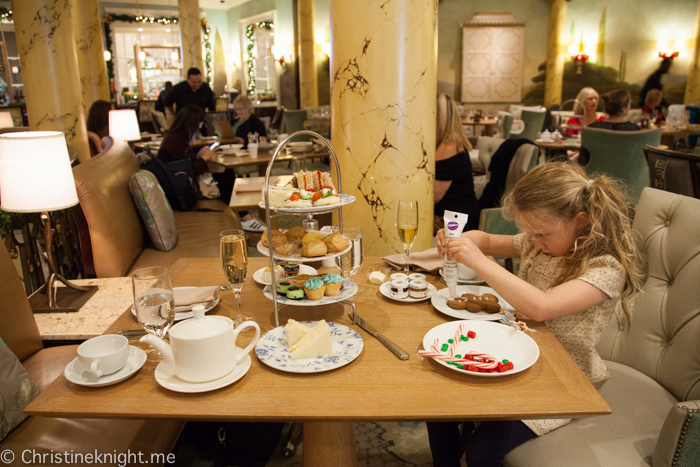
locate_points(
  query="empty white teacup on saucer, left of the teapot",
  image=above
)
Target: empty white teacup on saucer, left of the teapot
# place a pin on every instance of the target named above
(104, 355)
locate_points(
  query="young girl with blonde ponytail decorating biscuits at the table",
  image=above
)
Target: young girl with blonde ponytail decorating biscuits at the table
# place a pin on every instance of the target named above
(577, 262)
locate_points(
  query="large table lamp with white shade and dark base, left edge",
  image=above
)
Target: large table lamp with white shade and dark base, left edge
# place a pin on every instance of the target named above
(36, 176)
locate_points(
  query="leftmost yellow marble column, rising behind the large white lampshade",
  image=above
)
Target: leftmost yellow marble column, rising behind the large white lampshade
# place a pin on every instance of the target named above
(46, 45)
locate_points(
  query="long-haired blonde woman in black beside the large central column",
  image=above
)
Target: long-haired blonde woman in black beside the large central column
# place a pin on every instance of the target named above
(454, 182)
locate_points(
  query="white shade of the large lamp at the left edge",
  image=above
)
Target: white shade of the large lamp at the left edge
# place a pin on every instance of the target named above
(35, 172)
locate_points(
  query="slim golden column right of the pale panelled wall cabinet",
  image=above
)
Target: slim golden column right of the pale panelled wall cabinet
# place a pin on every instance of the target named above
(556, 50)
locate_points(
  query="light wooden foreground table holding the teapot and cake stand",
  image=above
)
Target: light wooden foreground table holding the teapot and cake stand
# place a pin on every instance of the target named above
(376, 386)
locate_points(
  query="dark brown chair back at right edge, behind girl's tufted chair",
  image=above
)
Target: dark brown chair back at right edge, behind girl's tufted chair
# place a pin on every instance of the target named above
(674, 171)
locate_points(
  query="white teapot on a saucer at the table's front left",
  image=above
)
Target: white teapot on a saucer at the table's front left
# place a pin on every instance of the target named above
(203, 348)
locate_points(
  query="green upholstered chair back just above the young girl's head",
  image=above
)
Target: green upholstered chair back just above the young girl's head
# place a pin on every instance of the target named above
(620, 154)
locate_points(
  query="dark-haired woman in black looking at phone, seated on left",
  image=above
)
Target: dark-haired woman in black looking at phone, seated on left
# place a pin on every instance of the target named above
(176, 146)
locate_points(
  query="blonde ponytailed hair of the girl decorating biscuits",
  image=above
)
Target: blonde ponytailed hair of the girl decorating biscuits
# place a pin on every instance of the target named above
(563, 190)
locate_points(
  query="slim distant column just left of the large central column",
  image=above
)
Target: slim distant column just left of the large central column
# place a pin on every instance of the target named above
(308, 83)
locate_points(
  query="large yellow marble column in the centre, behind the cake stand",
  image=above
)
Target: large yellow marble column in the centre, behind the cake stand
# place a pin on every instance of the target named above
(383, 97)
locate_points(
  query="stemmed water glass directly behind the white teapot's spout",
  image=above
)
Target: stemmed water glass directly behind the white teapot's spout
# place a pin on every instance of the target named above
(153, 300)
